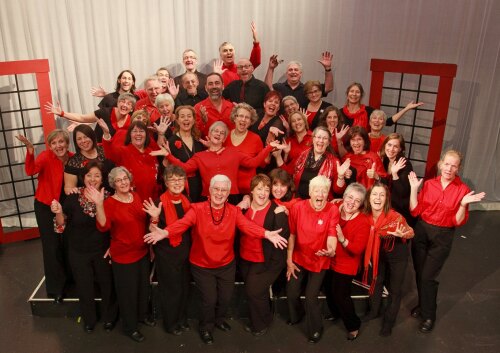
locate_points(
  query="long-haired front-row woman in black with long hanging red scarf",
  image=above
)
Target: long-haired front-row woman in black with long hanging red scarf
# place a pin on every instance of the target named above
(388, 253)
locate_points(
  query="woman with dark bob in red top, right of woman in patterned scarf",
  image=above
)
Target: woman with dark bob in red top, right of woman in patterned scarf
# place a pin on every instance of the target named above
(368, 165)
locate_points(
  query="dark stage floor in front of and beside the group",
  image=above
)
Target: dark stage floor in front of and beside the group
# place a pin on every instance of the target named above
(468, 312)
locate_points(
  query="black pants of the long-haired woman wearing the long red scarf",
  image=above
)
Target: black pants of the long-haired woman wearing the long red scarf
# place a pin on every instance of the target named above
(391, 270)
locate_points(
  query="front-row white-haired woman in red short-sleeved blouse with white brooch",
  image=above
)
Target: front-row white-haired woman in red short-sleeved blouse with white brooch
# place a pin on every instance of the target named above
(313, 239)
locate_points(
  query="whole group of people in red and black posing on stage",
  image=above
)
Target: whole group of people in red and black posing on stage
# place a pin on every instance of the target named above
(230, 174)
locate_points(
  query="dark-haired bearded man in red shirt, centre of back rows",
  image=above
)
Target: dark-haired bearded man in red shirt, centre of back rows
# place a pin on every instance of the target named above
(214, 108)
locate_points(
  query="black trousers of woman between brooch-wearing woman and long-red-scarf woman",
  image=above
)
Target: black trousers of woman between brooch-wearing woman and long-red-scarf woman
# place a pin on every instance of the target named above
(343, 304)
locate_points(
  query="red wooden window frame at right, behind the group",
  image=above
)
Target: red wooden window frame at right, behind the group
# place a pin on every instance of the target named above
(446, 74)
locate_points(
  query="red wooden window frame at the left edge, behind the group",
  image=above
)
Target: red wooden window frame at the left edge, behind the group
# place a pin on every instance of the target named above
(40, 68)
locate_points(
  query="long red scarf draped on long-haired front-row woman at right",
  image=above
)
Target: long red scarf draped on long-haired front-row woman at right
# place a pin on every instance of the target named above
(379, 230)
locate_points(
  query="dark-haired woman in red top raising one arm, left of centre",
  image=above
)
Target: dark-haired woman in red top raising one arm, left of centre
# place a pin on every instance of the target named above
(135, 156)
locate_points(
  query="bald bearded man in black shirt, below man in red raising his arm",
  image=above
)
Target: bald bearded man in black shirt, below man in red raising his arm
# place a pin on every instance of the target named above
(247, 89)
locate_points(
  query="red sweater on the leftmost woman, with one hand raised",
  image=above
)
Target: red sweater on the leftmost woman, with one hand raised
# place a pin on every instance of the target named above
(50, 170)
